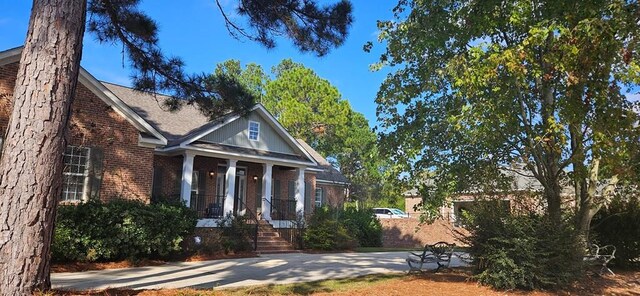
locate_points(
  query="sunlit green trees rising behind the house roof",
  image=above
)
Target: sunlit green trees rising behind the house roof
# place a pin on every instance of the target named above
(312, 109)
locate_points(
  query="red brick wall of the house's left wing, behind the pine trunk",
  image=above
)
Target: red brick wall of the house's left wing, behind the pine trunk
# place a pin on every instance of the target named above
(127, 167)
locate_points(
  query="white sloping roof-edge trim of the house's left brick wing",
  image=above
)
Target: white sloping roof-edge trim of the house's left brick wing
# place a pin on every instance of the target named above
(148, 132)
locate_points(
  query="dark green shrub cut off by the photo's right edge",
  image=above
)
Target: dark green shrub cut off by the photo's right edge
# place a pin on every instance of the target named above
(619, 225)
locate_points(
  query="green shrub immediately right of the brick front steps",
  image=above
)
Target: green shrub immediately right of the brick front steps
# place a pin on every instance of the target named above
(324, 232)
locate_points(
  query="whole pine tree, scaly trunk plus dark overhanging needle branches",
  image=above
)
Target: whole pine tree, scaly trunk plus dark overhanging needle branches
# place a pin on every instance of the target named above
(31, 163)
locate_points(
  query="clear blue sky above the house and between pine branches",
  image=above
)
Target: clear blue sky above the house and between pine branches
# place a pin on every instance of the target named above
(194, 30)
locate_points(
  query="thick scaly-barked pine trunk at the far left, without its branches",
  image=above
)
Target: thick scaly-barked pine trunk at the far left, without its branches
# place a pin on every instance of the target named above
(31, 164)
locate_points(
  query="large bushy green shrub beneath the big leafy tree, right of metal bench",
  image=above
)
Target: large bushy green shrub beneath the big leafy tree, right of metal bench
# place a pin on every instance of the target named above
(523, 251)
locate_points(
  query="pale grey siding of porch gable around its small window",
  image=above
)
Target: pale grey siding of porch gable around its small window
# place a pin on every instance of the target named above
(236, 133)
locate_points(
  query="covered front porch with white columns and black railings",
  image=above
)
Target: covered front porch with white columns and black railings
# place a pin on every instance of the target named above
(215, 187)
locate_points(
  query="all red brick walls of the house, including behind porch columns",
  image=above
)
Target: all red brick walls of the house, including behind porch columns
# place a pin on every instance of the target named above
(128, 169)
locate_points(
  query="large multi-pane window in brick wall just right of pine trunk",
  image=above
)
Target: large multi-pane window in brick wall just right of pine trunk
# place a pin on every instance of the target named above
(75, 173)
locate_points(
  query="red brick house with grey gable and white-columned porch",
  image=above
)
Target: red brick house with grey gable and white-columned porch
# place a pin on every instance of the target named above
(124, 144)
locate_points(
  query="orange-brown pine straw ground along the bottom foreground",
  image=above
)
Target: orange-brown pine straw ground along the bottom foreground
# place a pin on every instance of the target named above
(446, 284)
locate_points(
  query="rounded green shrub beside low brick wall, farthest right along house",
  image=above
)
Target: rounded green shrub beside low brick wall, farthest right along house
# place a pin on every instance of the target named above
(363, 226)
